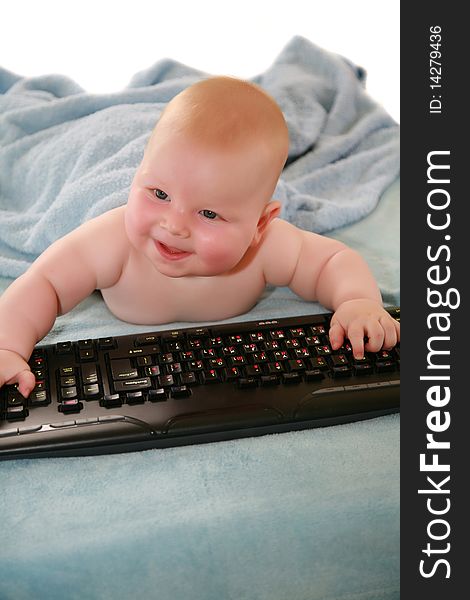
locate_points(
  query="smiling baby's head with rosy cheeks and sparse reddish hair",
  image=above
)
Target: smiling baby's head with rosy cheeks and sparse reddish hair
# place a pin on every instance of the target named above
(202, 193)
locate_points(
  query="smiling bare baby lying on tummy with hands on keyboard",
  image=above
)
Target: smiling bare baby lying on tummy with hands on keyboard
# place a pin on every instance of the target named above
(199, 238)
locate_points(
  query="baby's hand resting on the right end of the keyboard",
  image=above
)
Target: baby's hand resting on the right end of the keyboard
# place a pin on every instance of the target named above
(356, 319)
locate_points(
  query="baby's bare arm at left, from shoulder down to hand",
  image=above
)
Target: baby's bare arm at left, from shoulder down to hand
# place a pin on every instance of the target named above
(88, 258)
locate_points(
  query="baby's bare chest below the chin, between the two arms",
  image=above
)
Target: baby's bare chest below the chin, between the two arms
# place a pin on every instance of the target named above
(145, 296)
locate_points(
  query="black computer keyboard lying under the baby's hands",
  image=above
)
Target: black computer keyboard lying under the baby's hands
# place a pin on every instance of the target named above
(193, 385)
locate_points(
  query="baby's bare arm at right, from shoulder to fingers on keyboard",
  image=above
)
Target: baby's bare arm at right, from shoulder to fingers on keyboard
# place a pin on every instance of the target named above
(323, 269)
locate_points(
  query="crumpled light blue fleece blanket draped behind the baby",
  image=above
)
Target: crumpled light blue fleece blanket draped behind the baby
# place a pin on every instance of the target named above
(67, 155)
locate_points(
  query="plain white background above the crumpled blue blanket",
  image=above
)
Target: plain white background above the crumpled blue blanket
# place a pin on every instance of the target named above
(101, 44)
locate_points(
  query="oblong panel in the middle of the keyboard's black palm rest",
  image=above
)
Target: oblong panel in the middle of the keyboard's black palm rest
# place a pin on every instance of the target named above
(242, 417)
